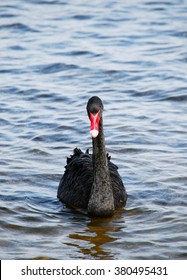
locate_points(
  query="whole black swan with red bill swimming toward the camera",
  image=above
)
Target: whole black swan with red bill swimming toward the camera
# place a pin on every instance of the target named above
(92, 182)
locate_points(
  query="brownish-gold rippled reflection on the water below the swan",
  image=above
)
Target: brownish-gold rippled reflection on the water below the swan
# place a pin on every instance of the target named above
(90, 242)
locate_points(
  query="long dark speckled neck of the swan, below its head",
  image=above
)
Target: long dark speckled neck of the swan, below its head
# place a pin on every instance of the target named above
(101, 201)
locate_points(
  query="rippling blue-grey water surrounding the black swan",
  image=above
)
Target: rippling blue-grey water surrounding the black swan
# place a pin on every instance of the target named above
(54, 55)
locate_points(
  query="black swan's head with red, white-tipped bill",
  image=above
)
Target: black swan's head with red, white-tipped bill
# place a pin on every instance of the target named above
(94, 110)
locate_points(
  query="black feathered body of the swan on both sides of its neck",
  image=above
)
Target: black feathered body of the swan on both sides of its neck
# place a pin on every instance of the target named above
(76, 184)
